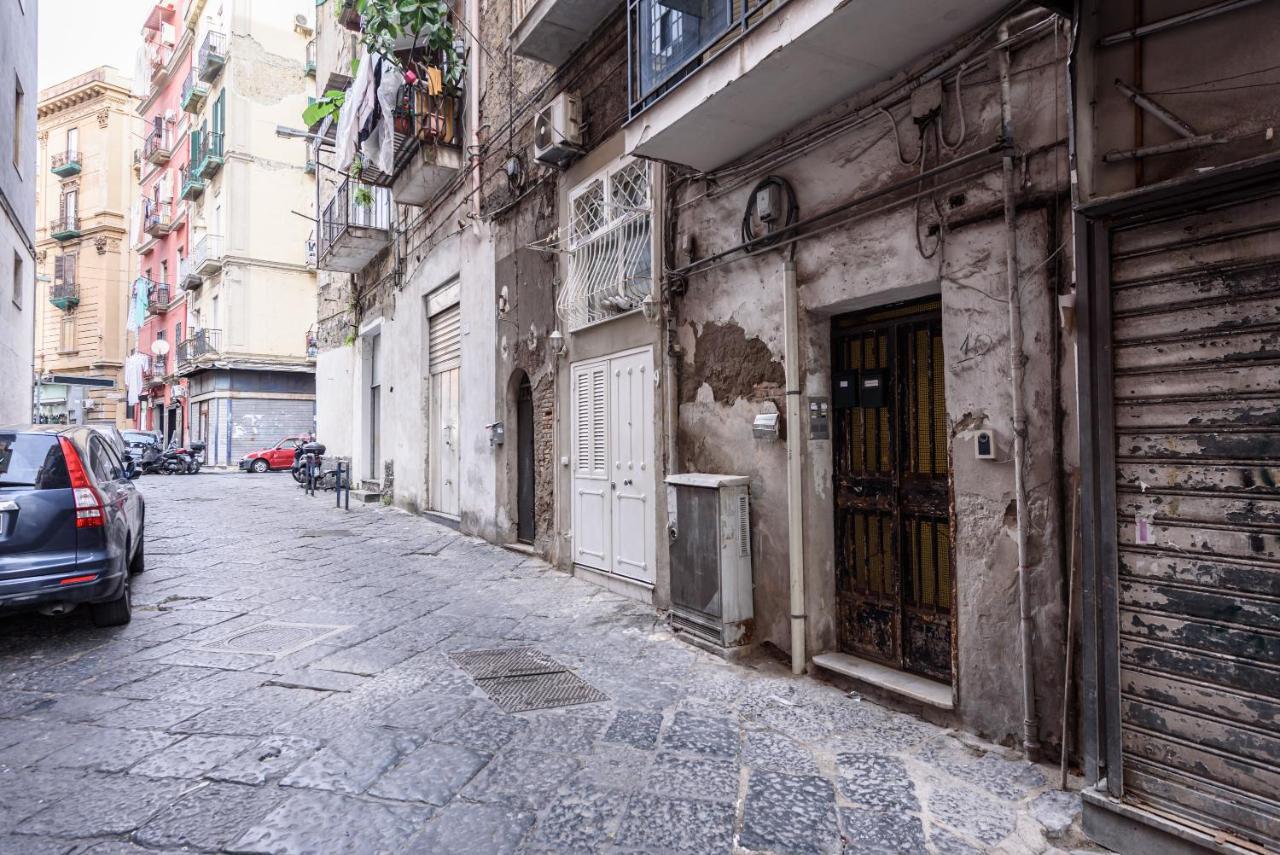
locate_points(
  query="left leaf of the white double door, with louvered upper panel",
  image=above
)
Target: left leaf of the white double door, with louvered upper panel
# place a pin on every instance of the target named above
(592, 505)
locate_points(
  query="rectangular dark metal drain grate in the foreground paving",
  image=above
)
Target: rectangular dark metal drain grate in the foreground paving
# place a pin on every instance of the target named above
(524, 679)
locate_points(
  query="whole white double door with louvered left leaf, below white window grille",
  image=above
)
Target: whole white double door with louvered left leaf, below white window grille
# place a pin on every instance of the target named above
(614, 465)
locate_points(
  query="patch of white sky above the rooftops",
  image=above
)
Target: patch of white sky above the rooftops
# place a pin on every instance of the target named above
(80, 35)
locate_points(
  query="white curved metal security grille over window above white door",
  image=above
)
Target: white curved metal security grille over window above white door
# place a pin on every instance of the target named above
(610, 246)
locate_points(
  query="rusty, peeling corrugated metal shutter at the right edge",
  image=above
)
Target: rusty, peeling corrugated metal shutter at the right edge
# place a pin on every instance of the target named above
(1196, 308)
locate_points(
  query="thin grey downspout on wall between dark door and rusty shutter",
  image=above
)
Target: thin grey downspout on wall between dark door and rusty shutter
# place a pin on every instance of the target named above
(1031, 726)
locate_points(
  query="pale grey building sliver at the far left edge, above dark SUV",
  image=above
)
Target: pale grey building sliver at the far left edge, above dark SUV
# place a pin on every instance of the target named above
(17, 209)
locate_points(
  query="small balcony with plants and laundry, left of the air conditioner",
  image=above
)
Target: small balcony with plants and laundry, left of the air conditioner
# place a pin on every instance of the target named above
(428, 143)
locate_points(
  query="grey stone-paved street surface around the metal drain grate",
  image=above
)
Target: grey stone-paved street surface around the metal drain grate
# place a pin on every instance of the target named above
(349, 729)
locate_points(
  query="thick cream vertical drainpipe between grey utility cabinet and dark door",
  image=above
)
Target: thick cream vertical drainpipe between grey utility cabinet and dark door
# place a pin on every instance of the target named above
(796, 516)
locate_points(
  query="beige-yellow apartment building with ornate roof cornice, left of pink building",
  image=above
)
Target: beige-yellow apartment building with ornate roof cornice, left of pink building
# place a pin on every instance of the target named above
(88, 129)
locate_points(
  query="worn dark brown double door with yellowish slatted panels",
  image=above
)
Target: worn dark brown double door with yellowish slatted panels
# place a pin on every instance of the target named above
(892, 475)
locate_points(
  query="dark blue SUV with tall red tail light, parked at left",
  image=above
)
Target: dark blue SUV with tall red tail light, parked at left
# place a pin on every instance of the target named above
(72, 523)
